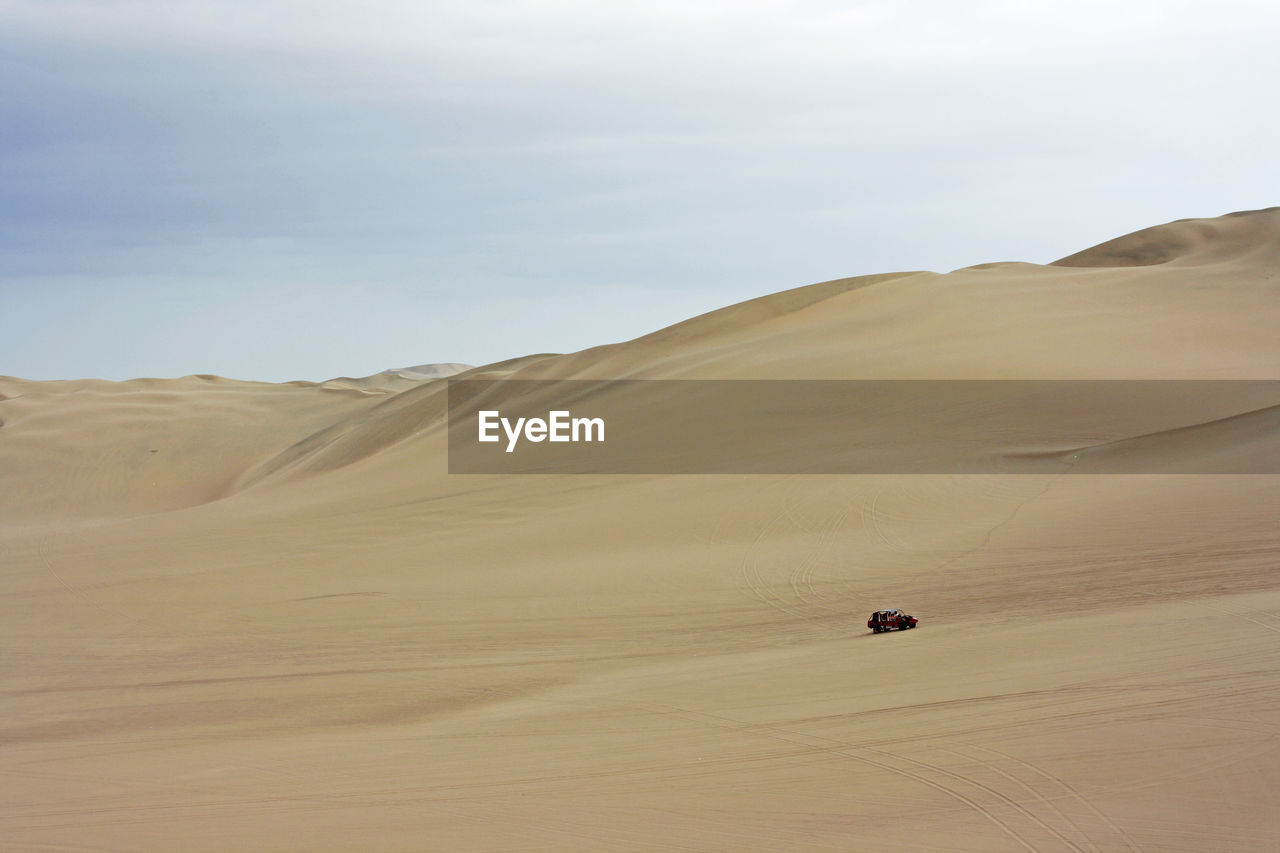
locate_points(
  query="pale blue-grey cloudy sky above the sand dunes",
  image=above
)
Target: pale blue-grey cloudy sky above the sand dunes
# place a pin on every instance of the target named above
(285, 190)
